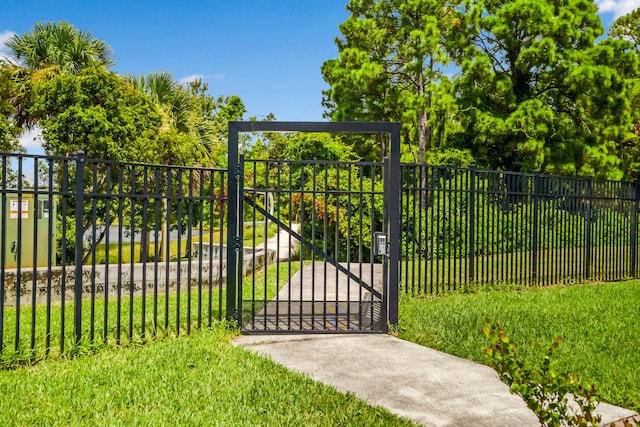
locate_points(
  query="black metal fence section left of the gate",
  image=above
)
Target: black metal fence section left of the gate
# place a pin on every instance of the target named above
(95, 251)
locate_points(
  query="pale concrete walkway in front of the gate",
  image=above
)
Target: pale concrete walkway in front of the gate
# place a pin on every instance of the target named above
(424, 385)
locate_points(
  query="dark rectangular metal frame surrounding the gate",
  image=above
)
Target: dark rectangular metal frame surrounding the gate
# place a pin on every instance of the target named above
(391, 197)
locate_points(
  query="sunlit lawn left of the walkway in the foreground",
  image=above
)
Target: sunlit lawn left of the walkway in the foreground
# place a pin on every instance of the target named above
(197, 380)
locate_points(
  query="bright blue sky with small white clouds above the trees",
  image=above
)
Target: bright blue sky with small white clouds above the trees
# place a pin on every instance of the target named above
(268, 52)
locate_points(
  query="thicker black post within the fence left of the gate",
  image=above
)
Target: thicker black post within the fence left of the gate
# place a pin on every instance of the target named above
(80, 160)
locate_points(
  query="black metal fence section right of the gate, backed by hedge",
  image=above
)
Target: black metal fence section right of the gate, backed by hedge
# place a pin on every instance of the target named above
(464, 227)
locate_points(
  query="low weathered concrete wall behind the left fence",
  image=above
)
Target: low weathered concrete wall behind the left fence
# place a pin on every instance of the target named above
(124, 277)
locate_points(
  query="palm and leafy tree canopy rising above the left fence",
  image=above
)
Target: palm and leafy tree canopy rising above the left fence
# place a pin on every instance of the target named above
(58, 78)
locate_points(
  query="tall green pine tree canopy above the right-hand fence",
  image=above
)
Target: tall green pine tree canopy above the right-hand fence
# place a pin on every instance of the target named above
(517, 85)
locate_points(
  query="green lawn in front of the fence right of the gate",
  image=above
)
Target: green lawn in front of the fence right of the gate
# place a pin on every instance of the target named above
(600, 325)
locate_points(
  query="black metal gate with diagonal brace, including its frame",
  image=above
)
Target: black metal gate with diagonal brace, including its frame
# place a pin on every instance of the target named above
(315, 247)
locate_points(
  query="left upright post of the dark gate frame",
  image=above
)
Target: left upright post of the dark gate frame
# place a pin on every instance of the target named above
(232, 226)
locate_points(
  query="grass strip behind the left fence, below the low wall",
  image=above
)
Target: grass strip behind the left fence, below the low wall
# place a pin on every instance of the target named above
(35, 332)
